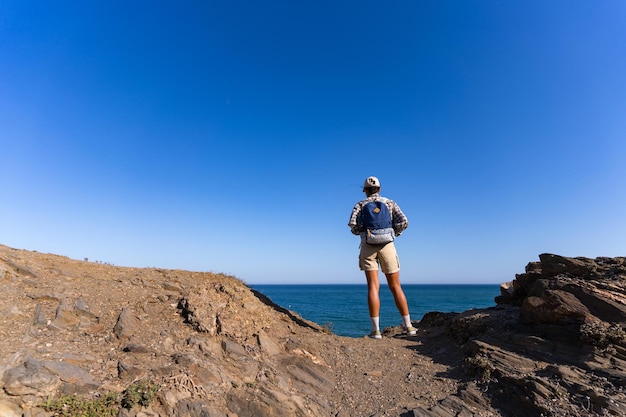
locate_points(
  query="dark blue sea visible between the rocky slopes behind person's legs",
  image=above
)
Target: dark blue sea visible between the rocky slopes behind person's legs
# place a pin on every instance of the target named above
(343, 308)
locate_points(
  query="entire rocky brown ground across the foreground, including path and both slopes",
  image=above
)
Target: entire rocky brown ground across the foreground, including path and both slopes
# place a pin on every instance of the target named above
(84, 338)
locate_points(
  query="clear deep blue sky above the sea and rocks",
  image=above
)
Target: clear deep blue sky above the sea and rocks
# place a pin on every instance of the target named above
(234, 136)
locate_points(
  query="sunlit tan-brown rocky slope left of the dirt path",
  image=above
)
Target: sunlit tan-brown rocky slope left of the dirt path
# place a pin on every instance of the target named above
(207, 343)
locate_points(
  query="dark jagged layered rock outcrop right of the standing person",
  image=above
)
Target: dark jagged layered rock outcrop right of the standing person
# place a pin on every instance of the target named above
(555, 345)
